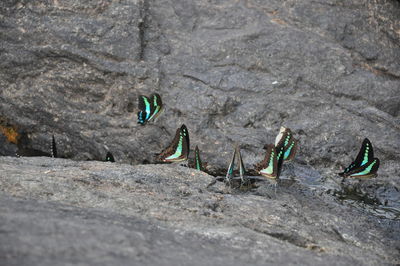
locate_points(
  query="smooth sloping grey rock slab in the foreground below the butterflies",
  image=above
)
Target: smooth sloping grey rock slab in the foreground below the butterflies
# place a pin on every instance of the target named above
(163, 214)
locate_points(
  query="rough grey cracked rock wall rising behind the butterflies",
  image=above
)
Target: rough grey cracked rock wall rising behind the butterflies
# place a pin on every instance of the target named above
(232, 71)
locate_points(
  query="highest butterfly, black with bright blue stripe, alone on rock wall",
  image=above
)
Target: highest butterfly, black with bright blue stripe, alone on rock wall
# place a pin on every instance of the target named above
(150, 107)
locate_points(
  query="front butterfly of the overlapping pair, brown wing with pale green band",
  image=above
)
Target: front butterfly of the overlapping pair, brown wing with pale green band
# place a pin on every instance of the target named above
(271, 165)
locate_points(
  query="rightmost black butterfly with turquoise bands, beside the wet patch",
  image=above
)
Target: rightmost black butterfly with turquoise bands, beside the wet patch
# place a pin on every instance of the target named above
(365, 164)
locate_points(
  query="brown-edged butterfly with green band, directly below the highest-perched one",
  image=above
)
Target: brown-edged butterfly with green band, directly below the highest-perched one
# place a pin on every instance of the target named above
(178, 150)
